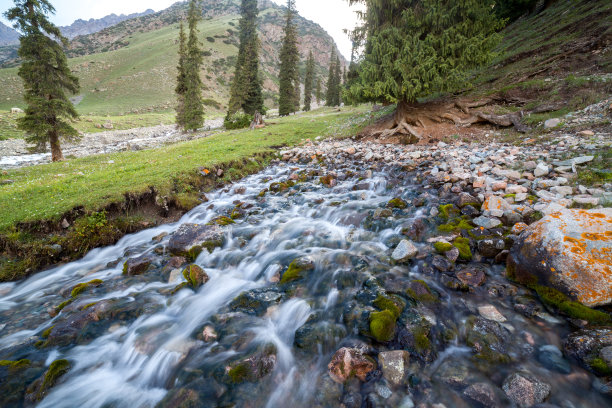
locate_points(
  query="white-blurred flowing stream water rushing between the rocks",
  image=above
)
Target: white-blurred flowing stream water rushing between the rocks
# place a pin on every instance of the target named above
(148, 346)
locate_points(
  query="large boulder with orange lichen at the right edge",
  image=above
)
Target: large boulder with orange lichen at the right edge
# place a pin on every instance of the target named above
(569, 250)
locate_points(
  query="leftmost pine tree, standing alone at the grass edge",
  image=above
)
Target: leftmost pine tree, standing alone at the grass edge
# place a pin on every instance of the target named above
(46, 77)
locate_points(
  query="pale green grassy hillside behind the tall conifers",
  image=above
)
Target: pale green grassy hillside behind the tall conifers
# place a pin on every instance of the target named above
(130, 67)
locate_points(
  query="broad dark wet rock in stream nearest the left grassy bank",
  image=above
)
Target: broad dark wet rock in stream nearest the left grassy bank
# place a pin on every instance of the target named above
(190, 239)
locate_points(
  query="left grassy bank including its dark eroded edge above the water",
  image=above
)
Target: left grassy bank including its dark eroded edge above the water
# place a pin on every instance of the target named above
(103, 197)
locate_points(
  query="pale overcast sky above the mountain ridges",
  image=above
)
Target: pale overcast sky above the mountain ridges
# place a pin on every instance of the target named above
(333, 15)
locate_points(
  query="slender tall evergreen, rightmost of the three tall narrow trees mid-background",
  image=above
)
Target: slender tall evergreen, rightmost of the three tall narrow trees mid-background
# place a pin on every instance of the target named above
(289, 58)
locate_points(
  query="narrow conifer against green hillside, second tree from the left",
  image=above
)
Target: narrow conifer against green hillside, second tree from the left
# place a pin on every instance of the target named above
(193, 111)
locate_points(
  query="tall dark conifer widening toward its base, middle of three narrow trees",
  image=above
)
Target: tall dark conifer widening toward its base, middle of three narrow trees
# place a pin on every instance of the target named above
(246, 91)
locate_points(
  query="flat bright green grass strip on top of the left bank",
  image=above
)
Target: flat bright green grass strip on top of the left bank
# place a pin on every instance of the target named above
(46, 192)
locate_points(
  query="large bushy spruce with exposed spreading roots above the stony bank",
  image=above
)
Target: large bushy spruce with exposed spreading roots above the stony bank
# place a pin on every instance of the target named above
(415, 48)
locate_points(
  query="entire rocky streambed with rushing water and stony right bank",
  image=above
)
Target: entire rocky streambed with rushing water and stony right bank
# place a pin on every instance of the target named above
(346, 275)
